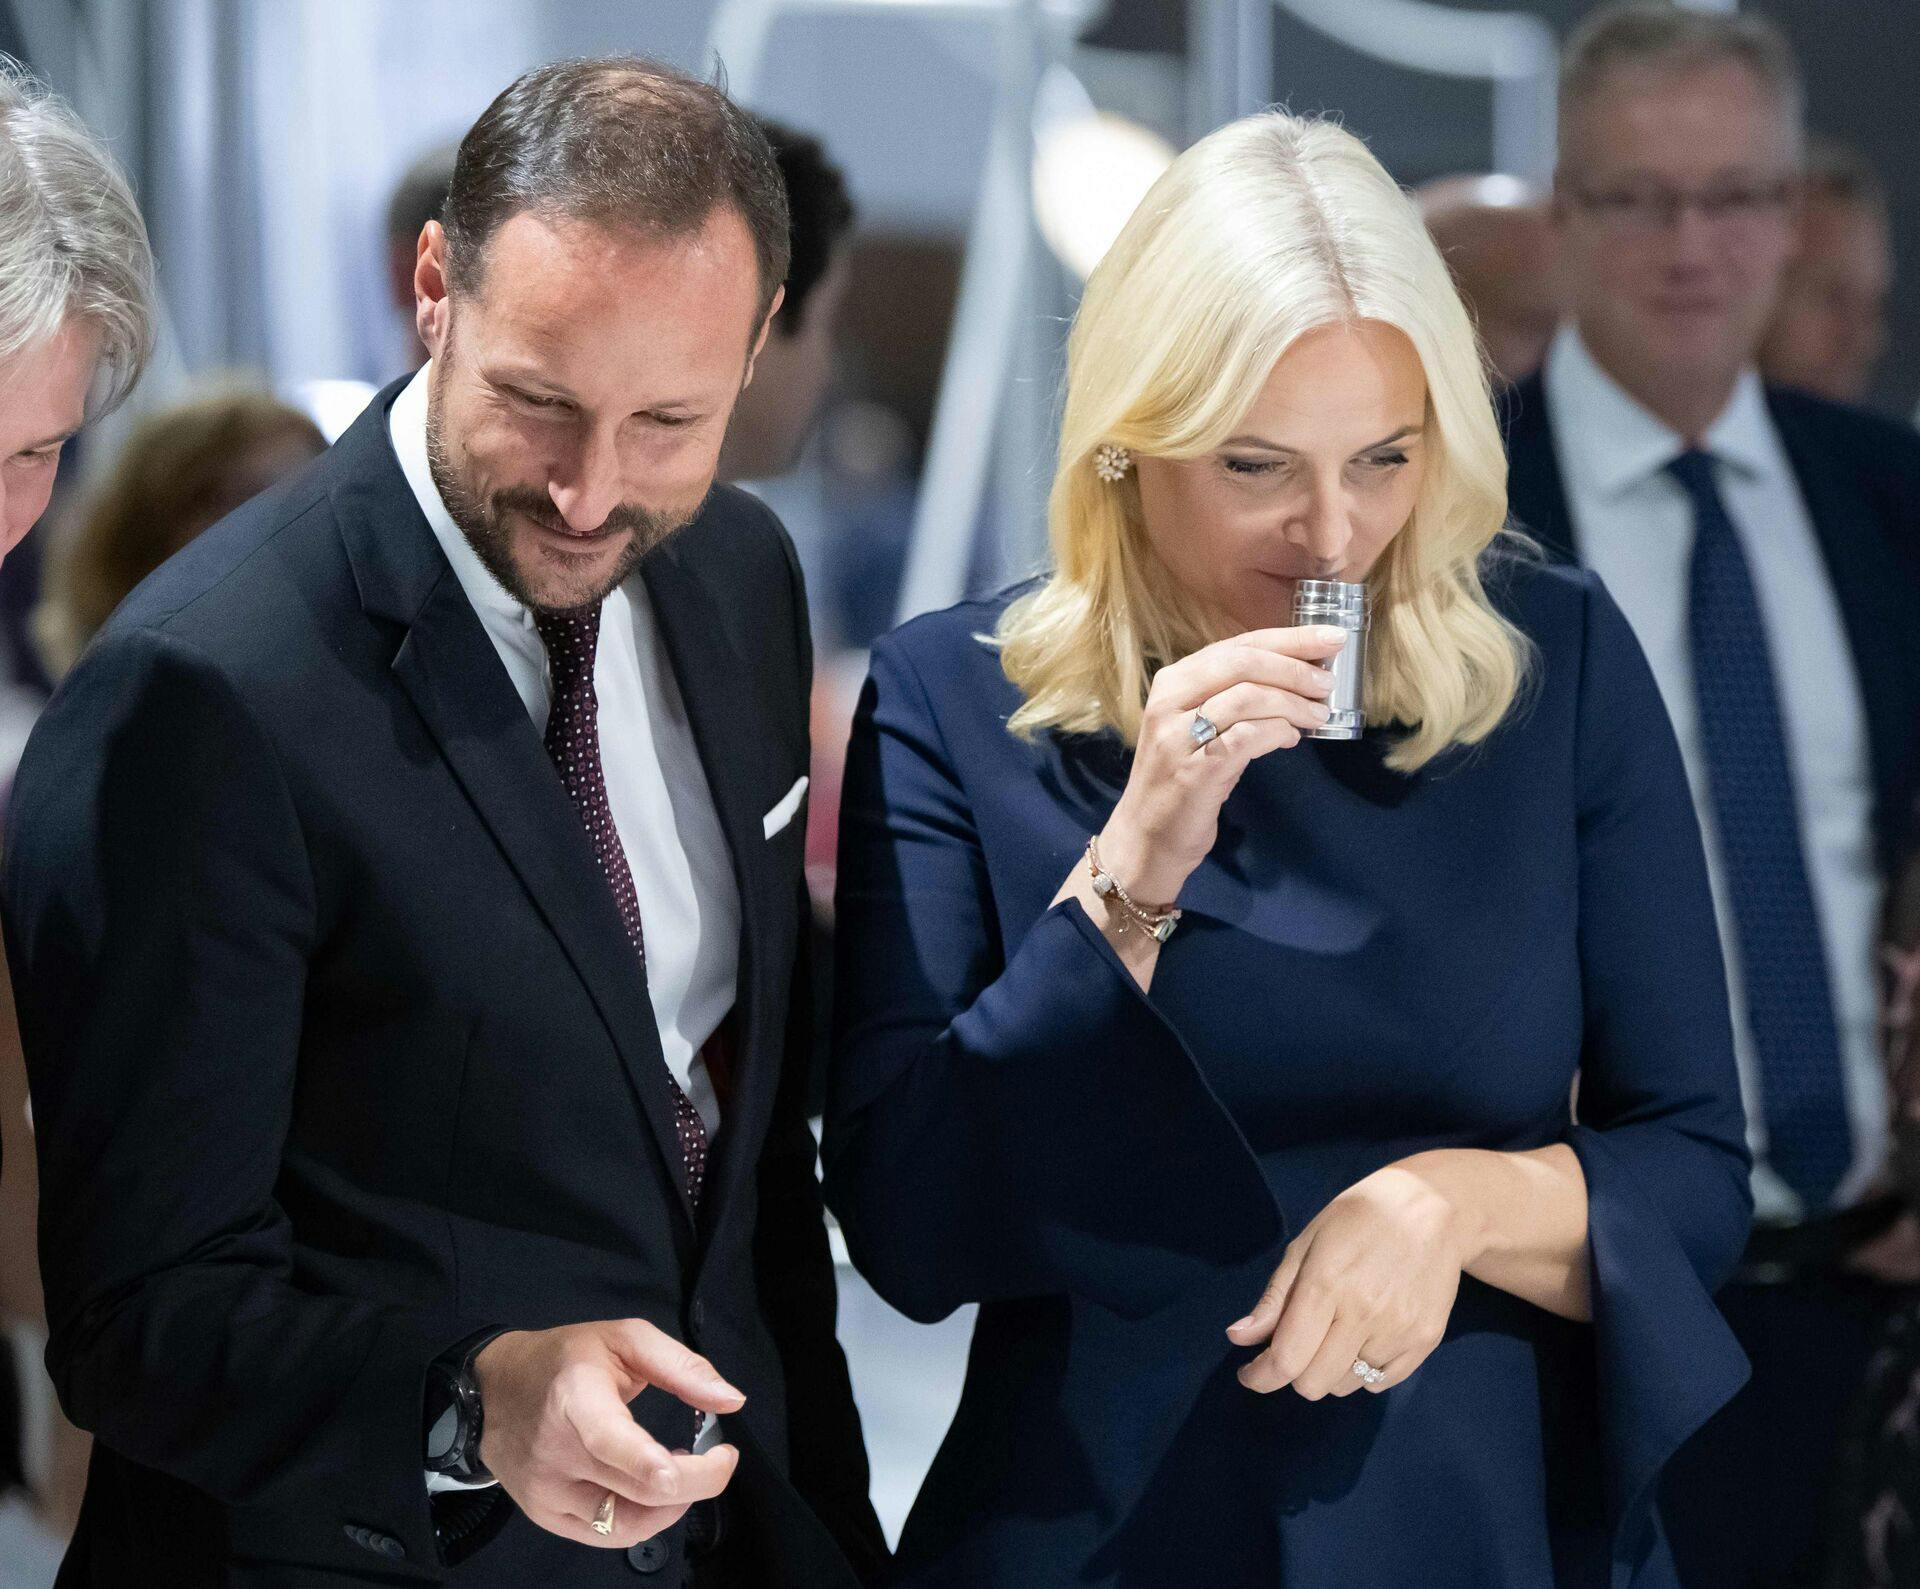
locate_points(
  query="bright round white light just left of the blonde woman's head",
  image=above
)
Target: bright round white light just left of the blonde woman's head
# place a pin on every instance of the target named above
(1090, 172)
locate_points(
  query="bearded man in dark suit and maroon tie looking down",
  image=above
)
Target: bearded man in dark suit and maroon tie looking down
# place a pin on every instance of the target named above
(404, 903)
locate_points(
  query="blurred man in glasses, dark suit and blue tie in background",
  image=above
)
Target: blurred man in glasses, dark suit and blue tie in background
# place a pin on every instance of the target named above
(1764, 544)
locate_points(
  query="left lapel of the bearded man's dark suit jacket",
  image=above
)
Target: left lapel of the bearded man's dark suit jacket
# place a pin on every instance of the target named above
(456, 680)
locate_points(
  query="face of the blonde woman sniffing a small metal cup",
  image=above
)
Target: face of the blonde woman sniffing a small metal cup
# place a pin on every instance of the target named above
(1314, 485)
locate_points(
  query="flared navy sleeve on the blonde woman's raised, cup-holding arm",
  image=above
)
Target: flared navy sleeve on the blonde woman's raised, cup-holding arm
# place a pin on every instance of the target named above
(1009, 1114)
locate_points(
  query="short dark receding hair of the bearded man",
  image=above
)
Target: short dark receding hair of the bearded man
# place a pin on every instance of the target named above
(619, 143)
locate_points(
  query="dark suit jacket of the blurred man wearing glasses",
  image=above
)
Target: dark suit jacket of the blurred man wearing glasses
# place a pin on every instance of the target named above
(1861, 479)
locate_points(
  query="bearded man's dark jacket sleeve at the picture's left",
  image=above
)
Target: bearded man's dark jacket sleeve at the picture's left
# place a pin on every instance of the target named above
(160, 918)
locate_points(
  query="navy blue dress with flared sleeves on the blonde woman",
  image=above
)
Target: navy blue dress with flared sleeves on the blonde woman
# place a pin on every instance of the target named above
(1370, 966)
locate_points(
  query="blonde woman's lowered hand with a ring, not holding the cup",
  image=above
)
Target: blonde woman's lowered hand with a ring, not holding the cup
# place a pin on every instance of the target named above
(1370, 1281)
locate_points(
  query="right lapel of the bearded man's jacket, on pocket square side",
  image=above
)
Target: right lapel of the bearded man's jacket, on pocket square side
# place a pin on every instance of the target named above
(731, 724)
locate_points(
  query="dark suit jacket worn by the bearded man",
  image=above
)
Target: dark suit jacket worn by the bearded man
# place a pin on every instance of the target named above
(339, 1051)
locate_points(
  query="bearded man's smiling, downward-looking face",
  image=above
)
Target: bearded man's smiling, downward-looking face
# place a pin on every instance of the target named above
(583, 387)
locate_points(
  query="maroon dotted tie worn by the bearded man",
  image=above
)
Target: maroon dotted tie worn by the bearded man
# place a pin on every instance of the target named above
(573, 742)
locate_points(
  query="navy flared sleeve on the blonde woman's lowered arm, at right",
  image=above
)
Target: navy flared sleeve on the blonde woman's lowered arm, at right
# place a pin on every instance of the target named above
(1660, 1127)
